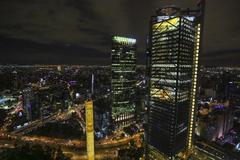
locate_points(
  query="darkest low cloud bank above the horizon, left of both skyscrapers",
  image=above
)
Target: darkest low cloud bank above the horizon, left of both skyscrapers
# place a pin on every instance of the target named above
(48, 53)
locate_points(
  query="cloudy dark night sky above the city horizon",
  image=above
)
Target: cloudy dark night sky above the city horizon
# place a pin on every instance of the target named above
(79, 31)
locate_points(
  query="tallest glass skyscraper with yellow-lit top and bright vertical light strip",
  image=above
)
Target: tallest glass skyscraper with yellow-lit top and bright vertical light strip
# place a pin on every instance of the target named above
(173, 49)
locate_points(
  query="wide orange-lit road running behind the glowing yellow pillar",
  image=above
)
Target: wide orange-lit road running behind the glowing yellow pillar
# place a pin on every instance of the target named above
(77, 148)
